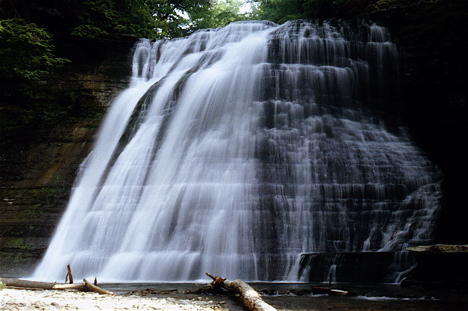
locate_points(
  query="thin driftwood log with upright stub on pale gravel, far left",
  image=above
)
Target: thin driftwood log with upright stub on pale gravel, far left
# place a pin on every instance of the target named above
(84, 287)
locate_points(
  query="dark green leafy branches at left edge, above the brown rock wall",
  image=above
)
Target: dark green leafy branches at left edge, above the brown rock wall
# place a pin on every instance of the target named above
(27, 62)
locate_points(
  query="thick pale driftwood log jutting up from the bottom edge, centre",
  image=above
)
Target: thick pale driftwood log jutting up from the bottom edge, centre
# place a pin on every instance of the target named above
(251, 298)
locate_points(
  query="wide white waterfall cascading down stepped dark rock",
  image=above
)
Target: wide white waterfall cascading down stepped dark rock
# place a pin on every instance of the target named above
(234, 151)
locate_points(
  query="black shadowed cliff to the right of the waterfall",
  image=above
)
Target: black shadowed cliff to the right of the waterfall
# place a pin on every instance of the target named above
(429, 35)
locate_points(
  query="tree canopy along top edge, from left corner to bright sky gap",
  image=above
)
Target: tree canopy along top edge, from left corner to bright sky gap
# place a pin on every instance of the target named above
(141, 18)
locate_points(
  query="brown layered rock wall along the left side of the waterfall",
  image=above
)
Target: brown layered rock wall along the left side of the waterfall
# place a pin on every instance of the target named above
(36, 177)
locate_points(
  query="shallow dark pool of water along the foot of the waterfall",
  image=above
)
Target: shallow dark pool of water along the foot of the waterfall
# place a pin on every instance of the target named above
(299, 296)
